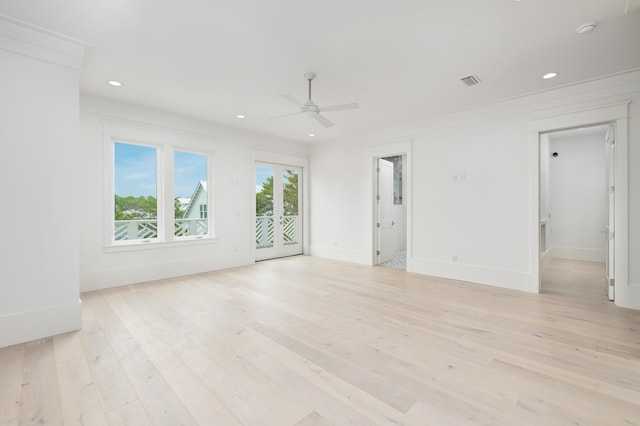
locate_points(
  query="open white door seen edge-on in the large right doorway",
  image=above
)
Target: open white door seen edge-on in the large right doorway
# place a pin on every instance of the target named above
(610, 228)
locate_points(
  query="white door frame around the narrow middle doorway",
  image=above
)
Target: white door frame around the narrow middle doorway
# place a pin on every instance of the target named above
(390, 150)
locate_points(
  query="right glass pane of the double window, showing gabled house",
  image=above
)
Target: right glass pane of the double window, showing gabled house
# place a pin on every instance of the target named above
(190, 197)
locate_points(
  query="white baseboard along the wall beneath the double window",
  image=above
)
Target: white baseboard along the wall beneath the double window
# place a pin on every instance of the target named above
(98, 280)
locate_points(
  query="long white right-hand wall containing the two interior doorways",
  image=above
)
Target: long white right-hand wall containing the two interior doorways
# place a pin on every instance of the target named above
(474, 188)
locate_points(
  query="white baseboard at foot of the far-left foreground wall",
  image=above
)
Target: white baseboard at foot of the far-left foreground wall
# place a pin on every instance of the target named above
(23, 327)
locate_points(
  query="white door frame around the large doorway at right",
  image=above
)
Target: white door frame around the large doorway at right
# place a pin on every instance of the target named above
(617, 114)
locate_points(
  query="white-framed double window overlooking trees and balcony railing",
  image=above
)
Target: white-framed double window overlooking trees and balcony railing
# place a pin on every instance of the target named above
(157, 193)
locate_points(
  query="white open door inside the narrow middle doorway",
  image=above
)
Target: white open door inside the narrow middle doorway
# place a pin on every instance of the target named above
(385, 224)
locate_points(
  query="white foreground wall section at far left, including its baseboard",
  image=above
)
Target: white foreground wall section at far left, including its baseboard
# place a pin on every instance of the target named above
(38, 181)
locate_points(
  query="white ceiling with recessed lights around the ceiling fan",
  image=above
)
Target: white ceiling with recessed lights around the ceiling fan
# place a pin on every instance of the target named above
(401, 60)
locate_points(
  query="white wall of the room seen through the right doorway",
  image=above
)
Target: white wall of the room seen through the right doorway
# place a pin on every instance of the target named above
(578, 196)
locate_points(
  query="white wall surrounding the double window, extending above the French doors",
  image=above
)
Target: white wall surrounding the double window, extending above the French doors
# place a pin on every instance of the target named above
(233, 189)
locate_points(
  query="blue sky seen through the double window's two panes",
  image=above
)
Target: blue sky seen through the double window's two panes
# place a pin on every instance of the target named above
(135, 171)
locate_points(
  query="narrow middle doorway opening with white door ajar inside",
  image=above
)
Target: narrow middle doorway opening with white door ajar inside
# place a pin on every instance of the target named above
(391, 212)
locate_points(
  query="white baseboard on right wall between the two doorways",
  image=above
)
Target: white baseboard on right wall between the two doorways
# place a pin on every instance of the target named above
(503, 278)
